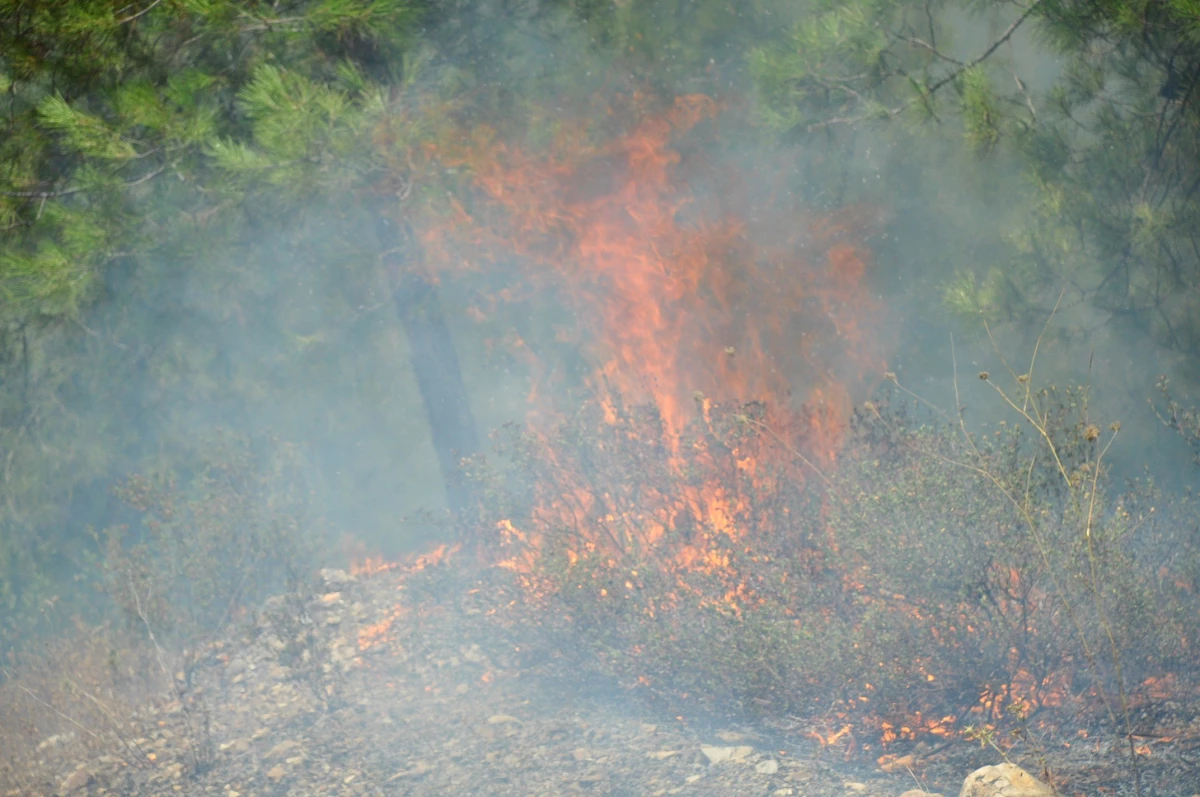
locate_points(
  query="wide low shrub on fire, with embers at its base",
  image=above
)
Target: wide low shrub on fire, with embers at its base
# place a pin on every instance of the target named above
(931, 574)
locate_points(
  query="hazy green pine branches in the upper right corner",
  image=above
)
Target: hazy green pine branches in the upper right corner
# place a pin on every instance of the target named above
(1112, 146)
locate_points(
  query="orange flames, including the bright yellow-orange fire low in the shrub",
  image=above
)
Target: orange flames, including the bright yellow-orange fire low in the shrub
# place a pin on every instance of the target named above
(677, 304)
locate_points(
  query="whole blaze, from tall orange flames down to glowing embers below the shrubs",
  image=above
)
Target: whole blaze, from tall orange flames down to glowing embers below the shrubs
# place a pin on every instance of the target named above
(685, 481)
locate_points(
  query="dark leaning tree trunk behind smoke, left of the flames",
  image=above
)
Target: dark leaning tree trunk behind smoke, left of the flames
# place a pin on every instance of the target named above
(434, 358)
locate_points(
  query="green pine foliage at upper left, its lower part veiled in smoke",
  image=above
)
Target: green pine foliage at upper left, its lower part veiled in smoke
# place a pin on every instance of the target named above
(130, 134)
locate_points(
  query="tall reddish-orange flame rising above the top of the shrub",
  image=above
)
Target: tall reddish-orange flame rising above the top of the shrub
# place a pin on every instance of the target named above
(673, 296)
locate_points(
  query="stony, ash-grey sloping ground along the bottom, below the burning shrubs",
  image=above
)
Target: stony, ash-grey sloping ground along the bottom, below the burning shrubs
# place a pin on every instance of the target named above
(385, 699)
